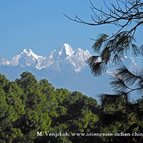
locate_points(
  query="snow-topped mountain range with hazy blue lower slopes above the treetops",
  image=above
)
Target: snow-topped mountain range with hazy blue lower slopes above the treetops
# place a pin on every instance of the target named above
(64, 68)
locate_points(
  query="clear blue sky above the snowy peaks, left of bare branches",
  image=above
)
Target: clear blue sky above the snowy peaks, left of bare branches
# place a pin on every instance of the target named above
(41, 26)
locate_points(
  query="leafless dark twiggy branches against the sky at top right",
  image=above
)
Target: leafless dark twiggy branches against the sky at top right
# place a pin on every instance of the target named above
(122, 14)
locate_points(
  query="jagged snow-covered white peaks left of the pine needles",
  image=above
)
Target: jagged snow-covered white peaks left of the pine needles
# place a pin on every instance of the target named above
(57, 60)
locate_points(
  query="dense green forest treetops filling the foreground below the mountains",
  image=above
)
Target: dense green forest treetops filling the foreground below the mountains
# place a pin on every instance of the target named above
(31, 111)
